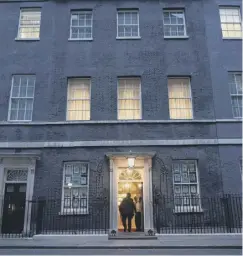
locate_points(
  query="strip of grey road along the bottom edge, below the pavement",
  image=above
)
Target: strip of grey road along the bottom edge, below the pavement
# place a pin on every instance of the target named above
(216, 251)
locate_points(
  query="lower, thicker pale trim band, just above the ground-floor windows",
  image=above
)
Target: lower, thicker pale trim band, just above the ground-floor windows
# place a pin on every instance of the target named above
(120, 143)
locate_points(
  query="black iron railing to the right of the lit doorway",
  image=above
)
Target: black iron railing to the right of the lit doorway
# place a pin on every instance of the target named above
(208, 215)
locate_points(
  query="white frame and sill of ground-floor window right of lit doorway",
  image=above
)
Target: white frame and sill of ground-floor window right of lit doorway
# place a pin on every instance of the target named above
(189, 208)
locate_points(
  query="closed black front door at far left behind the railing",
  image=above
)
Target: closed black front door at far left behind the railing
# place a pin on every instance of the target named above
(14, 208)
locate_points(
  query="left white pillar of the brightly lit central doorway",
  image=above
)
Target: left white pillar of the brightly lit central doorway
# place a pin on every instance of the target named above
(113, 199)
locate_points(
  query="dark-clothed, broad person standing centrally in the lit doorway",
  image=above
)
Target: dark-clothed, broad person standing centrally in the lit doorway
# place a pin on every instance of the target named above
(127, 209)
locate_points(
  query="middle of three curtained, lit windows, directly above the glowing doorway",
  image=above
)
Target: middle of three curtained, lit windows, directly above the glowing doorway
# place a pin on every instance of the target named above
(129, 98)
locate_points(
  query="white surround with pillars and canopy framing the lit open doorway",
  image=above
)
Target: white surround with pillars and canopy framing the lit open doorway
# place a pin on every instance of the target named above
(144, 159)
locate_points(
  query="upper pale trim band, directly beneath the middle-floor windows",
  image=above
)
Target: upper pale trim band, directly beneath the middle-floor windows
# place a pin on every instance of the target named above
(88, 122)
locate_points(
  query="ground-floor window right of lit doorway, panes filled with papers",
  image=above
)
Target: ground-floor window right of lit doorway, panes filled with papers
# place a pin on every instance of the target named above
(186, 186)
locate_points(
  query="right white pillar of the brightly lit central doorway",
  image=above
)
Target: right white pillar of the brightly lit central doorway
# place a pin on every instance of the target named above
(148, 197)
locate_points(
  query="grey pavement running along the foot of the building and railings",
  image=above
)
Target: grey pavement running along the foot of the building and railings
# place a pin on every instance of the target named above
(165, 241)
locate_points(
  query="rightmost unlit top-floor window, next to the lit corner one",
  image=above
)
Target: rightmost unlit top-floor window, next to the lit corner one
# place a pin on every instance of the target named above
(174, 23)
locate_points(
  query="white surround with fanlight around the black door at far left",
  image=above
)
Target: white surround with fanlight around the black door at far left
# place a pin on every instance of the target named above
(18, 161)
